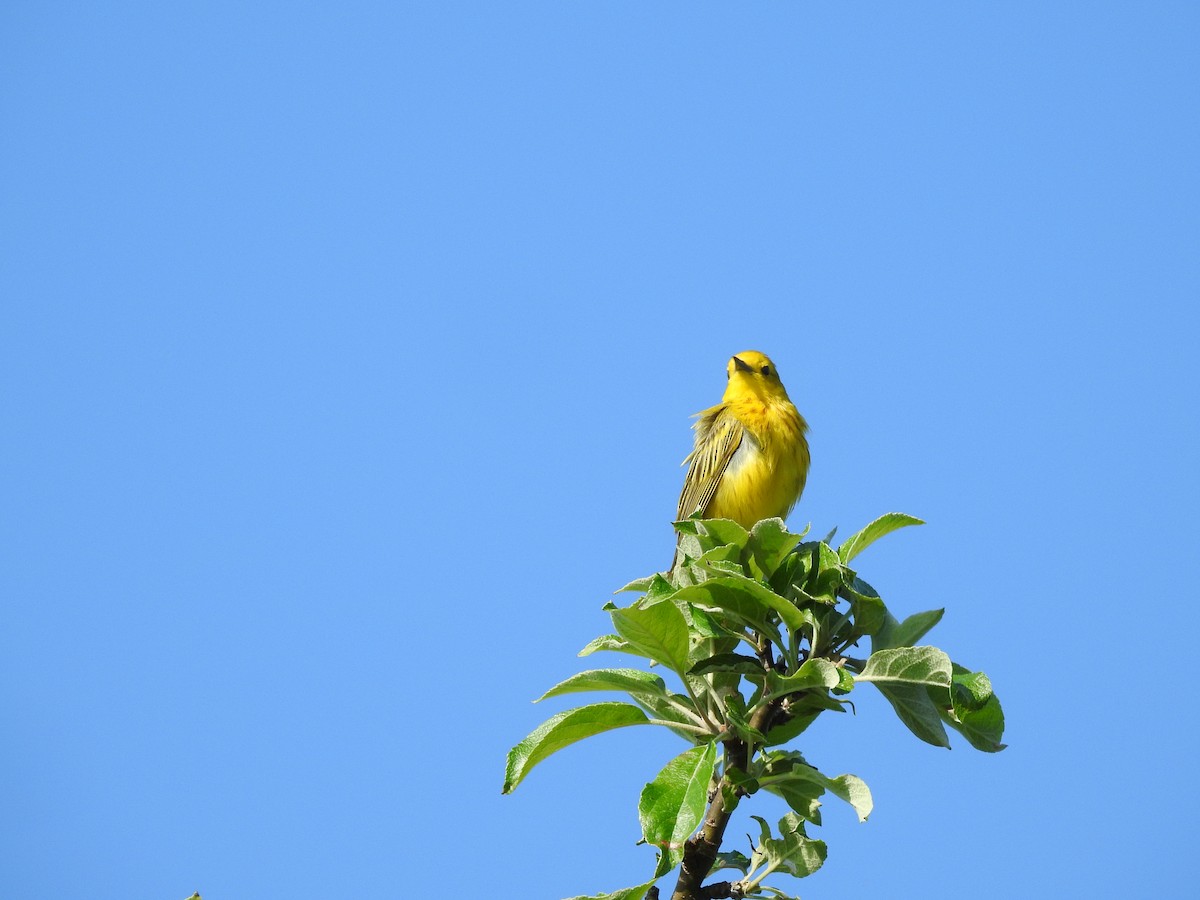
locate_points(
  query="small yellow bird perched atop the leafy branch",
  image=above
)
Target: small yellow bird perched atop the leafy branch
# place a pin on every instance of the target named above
(752, 459)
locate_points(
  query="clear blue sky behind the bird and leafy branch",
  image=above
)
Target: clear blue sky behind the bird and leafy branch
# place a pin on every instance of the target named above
(349, 353)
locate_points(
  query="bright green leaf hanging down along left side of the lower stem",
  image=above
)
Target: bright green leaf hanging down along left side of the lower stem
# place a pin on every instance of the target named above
(673, 806)
